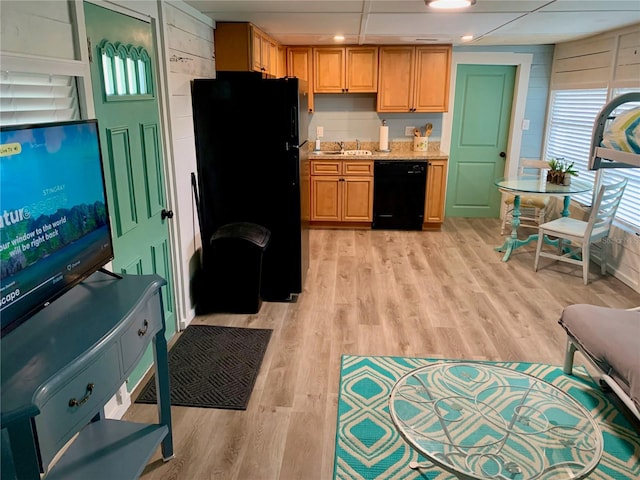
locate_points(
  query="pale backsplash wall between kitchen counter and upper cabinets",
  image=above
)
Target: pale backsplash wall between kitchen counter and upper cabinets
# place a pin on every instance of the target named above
(347, 117)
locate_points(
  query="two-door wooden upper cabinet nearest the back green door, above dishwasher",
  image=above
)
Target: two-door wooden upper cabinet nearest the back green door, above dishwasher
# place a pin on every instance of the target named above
(414, 79)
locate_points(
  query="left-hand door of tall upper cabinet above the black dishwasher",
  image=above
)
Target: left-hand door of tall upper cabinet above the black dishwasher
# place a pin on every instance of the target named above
(396, 77)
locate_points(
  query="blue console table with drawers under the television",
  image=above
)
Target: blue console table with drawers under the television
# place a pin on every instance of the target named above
(60, 368)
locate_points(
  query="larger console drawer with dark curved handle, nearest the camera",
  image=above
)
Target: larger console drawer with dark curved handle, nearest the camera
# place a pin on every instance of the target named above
(77, 402)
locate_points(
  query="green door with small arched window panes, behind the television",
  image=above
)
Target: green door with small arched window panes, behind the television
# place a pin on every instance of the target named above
(126, 103)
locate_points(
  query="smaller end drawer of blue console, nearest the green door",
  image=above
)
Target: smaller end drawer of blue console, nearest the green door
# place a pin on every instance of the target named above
(134, 341)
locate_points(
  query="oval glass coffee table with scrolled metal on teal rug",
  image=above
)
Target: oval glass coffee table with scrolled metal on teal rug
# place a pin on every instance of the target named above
(483, 421)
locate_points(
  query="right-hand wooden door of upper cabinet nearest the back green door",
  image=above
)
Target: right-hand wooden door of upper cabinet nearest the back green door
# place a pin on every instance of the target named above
(432, 72)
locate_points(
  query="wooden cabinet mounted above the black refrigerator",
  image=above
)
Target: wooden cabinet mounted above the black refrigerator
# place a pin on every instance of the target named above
(241, 46)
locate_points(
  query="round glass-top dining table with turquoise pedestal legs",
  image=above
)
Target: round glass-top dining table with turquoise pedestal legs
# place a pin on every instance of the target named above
(533, 185)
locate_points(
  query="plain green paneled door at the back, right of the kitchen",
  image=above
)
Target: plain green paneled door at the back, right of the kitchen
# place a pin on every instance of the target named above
(481, 118)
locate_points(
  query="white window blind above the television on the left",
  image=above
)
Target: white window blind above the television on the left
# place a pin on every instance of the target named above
(37, 98)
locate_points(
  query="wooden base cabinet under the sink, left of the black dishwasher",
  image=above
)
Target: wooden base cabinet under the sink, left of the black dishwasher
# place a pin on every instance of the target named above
(341, 191)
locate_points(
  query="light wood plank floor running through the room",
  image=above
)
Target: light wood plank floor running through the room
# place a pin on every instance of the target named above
(429, 294)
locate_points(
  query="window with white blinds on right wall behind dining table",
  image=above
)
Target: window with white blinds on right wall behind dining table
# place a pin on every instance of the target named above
(571, 119)
